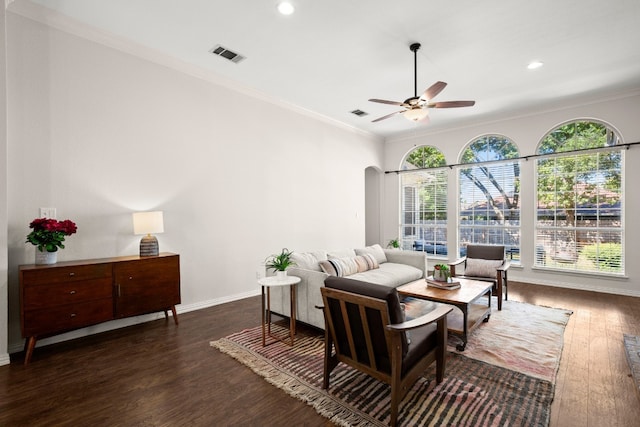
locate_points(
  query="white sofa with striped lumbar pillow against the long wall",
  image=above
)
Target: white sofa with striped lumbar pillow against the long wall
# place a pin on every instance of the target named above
(394, 268)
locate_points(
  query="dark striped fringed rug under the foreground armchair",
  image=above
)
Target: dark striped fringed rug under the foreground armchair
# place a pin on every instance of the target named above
(474, 393)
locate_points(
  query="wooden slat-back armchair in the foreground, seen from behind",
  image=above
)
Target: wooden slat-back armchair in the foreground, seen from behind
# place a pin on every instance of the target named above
(365, 329)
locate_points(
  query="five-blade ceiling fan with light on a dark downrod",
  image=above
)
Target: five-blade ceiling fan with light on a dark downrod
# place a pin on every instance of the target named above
(417, 107)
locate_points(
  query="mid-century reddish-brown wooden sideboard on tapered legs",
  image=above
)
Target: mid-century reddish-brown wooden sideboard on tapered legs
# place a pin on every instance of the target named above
(74, 294)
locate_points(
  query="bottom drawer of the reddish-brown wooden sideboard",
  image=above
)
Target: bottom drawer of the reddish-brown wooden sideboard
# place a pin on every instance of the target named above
(67, 317)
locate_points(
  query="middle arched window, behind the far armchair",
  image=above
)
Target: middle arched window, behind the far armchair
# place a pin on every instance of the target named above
(490, 195)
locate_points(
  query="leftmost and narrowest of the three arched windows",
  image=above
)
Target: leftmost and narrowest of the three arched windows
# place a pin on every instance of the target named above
(424, 201)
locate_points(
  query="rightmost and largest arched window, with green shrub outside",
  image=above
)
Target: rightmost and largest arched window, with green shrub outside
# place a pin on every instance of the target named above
(579, 216)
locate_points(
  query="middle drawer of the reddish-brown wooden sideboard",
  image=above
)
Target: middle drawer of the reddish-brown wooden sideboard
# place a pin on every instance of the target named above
(54, 294)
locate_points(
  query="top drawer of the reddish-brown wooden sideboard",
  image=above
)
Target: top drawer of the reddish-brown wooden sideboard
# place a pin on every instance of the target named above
(66, 274)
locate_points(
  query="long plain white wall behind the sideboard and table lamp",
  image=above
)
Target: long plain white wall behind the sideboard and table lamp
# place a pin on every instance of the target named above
(98, 133)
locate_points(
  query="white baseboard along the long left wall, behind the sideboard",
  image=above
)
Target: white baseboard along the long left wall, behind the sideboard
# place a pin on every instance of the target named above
(123, 323)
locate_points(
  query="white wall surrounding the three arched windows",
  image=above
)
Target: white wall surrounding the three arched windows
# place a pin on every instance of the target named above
(622, 113)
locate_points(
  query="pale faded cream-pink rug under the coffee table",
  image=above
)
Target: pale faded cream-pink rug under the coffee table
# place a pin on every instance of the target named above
(523, 337)
